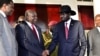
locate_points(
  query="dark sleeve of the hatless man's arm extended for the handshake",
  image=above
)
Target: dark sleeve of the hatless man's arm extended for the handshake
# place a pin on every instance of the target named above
(25, 43)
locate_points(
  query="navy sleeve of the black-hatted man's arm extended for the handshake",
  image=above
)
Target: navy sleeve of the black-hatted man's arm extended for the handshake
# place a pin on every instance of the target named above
(54, 40)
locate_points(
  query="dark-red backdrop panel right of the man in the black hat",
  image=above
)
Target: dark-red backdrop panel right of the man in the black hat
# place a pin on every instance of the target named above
(86, 16)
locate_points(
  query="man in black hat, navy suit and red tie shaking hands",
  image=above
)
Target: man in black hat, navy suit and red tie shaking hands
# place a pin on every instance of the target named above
(69, 35)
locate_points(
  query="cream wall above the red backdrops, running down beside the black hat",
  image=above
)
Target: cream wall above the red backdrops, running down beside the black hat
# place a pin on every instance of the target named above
(73, 3)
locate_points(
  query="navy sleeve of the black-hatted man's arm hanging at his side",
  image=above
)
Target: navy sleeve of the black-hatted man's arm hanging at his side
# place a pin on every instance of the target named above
(82, 38)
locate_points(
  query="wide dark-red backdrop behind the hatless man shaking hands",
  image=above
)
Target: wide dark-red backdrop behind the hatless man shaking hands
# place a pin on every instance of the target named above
(45, 12)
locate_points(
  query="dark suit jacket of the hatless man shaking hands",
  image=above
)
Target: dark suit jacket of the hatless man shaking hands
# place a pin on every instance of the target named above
(28, 44)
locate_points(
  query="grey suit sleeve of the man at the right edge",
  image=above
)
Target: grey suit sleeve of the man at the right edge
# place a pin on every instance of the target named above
(89, 44)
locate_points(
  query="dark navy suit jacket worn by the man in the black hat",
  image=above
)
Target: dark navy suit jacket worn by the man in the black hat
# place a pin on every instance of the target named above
(75, 45)
